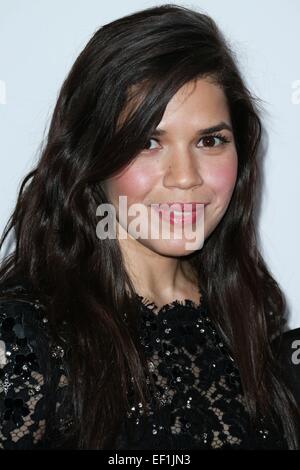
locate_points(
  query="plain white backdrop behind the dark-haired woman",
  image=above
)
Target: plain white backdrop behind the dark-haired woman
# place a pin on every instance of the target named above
(39, 41)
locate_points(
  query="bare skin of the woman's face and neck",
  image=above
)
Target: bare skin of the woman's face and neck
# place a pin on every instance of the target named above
(177, 166)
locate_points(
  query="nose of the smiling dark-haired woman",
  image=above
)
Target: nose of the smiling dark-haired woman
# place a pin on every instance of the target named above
(183, 170)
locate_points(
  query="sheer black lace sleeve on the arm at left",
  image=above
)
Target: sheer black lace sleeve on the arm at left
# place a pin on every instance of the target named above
(22, 380)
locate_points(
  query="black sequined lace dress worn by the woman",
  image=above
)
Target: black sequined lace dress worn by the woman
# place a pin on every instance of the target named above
(197, 402)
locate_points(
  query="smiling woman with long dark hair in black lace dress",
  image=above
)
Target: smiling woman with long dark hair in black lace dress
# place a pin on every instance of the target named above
(137, 342)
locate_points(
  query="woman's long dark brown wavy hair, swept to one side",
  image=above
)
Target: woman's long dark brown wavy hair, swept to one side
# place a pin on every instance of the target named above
(138, 62)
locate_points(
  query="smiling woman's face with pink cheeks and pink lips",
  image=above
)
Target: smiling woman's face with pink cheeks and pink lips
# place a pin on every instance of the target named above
(182, 162)
